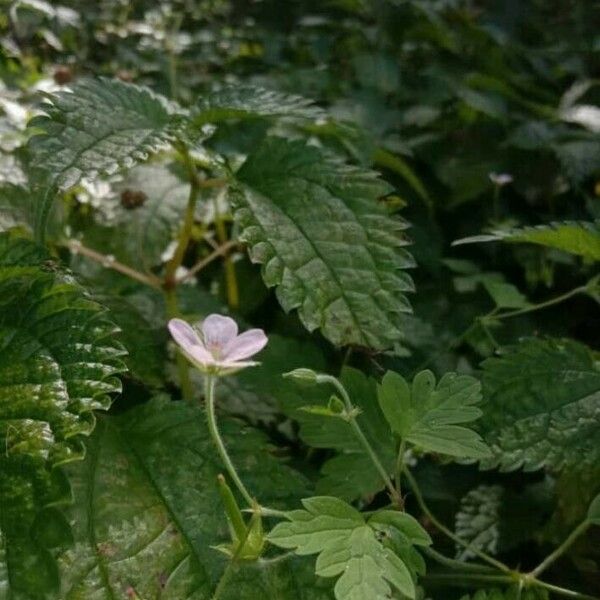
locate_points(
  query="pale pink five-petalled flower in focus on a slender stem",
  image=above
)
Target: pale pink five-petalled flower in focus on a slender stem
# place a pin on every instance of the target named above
(214, 345)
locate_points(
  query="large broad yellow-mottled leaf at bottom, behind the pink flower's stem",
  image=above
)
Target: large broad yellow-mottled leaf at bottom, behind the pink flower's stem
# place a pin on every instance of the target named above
(145, 527)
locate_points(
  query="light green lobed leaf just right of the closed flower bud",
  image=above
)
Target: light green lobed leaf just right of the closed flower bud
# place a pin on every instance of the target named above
(430, 416)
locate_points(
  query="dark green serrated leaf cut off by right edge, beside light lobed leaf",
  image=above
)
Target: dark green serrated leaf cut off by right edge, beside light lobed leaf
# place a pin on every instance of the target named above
(542, 406)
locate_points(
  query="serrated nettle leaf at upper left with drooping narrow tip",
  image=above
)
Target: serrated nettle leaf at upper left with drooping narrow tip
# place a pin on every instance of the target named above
(98, 127)
